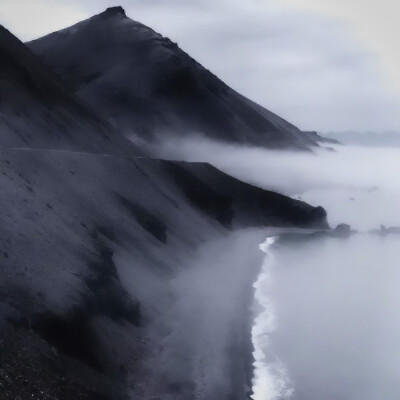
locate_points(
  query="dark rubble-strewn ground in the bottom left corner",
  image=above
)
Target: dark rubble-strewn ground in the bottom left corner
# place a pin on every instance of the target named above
(30, 370)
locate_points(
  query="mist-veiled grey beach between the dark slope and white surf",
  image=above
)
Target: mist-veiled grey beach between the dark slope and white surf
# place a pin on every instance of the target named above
(198, 336)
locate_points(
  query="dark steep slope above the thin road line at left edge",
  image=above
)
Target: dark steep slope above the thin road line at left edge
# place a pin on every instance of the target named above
(38, 111)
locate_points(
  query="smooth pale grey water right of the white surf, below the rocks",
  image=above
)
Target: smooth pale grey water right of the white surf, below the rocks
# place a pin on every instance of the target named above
(337, 309)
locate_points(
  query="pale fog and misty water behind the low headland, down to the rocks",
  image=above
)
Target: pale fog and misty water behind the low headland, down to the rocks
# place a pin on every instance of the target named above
(357, 185)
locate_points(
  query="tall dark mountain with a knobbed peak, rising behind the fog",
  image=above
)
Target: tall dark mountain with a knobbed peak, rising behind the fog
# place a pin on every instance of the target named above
(146, 85)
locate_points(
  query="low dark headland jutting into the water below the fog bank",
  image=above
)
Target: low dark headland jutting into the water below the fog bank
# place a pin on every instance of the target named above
(248, 204)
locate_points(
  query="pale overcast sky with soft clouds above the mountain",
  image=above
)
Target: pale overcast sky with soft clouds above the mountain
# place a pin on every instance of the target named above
(322, 64)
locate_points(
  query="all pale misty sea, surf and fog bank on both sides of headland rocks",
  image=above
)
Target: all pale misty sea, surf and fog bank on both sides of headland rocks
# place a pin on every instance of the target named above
(329, 324)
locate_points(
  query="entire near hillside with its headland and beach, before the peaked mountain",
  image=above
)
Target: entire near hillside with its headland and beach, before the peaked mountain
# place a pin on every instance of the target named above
(122, 277)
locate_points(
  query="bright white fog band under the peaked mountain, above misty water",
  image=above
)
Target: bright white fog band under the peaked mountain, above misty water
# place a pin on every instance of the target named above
(294, 172)
